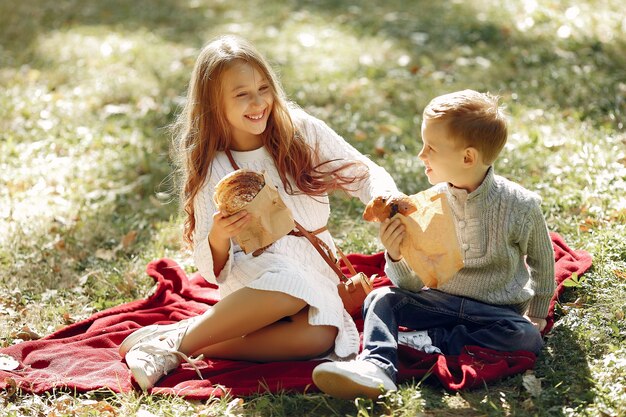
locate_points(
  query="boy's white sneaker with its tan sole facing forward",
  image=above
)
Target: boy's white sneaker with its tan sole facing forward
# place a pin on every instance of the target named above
(349, 380)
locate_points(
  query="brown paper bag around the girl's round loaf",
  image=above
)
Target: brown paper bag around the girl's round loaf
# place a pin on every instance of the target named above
(271, 219)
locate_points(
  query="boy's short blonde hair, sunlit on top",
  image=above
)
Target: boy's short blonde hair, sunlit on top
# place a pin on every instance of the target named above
(472, 119)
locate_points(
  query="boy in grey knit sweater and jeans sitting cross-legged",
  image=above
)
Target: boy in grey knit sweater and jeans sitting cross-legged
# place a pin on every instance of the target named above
(500, 298)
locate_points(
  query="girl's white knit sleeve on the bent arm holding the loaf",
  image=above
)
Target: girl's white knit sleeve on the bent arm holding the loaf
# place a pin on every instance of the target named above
(204, 207)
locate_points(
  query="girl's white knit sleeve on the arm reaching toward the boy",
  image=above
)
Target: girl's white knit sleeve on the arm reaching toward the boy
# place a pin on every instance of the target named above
(332, 147)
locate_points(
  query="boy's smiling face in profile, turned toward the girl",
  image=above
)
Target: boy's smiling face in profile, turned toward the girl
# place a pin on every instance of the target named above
(442, 155)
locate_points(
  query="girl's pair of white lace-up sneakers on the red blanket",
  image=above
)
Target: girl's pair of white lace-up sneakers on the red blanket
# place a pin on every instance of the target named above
(157, 354)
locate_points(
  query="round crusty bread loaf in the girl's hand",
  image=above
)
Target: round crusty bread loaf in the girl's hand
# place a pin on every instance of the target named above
(237, 189)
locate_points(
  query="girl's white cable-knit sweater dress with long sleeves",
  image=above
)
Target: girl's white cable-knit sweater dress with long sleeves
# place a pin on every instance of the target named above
(291, 264)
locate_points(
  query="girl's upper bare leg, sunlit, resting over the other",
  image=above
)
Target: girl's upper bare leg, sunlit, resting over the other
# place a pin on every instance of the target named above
(240, 313)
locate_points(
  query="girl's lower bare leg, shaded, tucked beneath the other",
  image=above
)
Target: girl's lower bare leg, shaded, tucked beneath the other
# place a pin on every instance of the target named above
(295, 339)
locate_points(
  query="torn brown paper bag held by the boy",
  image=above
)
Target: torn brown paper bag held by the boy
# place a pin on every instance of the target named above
(430, 246)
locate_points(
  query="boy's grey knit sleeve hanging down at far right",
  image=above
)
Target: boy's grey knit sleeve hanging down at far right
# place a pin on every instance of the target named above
(540, 261)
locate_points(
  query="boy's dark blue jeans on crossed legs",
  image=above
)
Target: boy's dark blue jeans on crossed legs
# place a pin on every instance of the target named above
(452, 322)
